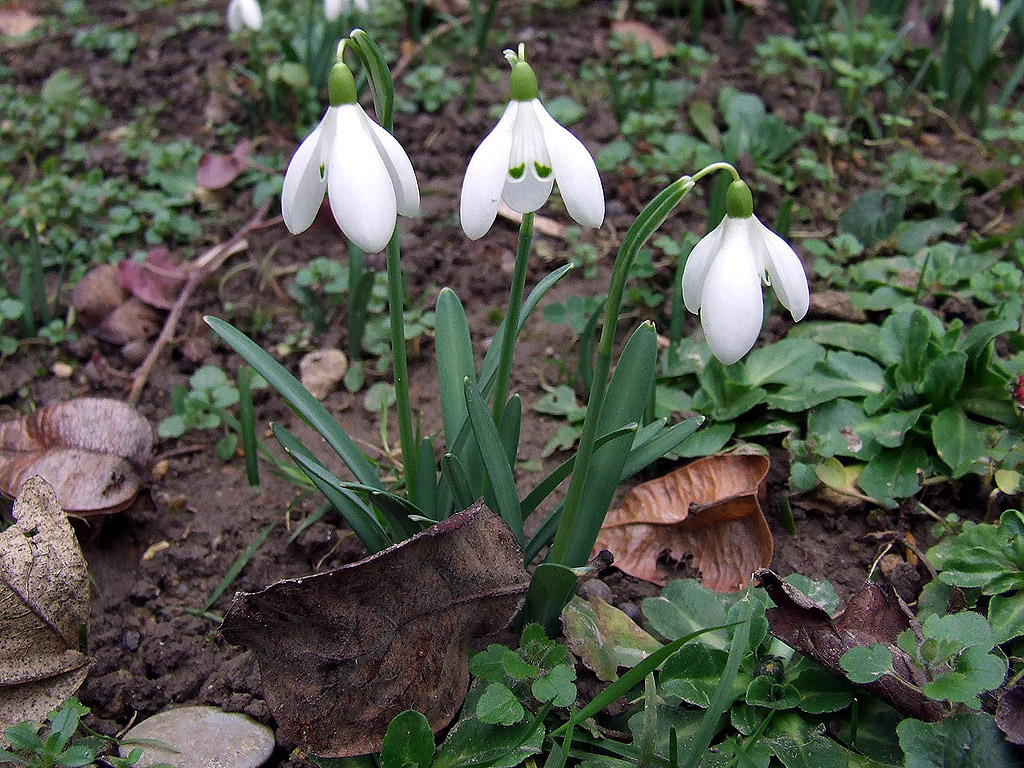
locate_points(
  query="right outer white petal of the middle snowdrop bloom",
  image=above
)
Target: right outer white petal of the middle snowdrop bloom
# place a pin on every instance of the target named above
(576, 173)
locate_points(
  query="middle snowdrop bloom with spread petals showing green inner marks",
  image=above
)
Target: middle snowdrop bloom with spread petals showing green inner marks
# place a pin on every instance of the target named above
(523, 157)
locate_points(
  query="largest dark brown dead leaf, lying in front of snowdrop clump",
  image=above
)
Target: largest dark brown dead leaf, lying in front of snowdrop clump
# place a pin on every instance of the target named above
(343, 653)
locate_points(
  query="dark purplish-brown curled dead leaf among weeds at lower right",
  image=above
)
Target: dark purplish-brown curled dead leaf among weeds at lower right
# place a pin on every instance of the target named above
(875, 615)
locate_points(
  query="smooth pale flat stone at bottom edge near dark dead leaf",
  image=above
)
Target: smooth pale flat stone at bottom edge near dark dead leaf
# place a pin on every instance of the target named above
(203, 738)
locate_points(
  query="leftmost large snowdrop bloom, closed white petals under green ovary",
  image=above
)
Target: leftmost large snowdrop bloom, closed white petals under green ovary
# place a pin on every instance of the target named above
(359, 165)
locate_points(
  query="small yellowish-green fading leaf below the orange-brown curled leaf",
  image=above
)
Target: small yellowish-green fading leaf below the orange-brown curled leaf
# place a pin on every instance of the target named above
(605, 637)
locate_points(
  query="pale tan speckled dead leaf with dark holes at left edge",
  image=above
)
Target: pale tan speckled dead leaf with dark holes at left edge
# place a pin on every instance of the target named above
(45, 603)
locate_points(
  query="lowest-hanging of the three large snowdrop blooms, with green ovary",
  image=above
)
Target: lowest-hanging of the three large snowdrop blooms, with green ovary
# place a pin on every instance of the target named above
(722, 278)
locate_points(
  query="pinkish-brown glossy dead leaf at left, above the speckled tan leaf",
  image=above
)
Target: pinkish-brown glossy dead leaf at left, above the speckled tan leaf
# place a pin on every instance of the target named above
(91, 450)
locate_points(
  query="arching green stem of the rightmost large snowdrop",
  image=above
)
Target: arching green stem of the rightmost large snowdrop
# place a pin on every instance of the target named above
(646, 226)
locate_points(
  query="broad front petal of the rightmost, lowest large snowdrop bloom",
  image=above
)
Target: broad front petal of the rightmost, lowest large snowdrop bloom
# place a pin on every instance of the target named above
(732, 306)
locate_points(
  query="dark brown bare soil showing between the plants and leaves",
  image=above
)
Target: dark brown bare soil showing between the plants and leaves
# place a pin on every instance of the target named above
(159, 561)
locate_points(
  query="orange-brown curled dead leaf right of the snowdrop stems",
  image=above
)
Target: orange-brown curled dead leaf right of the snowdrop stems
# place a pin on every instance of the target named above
(708, 509)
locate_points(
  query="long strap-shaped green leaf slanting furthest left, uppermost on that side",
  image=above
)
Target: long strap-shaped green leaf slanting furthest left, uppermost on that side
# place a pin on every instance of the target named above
(298, 399)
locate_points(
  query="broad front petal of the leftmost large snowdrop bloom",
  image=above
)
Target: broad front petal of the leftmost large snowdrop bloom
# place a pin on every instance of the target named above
(360, 188)
